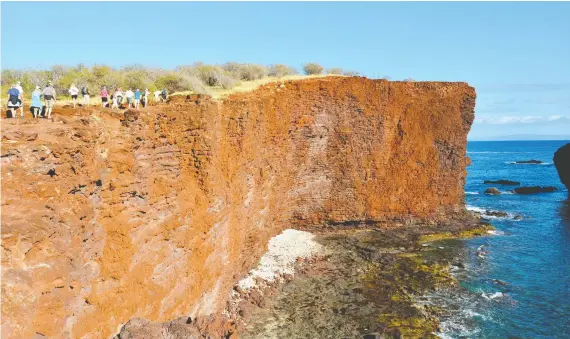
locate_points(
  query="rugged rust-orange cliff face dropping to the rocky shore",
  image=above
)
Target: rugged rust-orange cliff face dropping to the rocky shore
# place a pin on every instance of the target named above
(156, 214)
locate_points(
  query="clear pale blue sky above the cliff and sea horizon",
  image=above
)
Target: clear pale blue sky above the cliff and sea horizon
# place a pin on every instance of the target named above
(516, 55)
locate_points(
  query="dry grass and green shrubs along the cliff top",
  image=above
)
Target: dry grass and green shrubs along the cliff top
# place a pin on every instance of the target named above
(198, 77)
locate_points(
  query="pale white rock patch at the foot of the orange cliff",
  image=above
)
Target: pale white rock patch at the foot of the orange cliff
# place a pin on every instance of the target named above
(283, 251)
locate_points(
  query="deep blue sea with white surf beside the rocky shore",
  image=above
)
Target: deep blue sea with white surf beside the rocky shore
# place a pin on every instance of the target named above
(530, 257)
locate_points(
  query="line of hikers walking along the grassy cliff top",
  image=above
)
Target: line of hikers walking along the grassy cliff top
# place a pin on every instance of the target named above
(134, 98)
